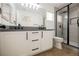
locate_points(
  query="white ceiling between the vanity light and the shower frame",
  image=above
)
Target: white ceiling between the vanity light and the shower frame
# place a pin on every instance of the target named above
(50, 6)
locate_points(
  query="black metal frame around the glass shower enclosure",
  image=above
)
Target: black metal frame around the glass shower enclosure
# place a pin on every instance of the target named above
(68, 17)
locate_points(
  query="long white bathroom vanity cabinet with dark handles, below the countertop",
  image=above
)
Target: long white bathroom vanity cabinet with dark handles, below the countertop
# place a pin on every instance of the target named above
(27, 42)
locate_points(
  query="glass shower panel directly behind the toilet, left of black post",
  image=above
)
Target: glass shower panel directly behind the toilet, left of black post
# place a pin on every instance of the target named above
(62, 18)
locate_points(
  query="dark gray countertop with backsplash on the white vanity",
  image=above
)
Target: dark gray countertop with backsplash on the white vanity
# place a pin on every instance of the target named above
(12, 28)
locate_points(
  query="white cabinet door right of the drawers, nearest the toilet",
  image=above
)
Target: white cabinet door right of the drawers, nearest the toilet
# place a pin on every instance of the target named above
(47, 40)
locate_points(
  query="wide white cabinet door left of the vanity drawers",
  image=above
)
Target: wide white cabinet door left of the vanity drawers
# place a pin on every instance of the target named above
(14, 43)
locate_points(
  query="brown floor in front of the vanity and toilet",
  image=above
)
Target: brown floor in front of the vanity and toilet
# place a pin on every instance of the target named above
(57, 52)
